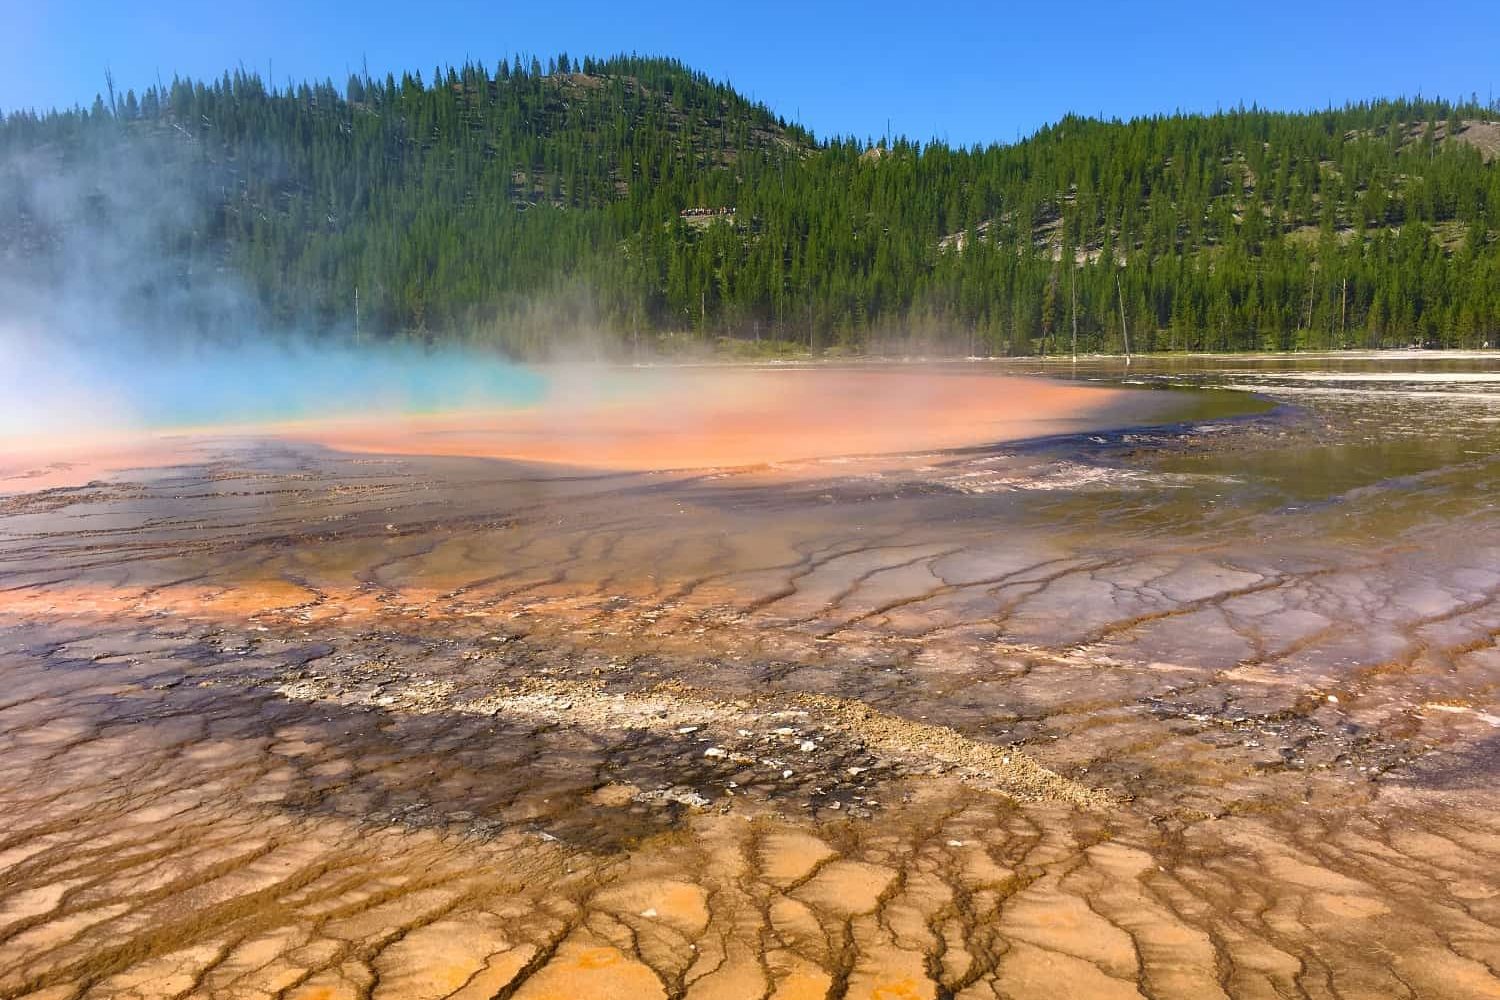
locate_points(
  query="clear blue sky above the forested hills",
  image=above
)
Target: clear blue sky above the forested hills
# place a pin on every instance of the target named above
(968, 73)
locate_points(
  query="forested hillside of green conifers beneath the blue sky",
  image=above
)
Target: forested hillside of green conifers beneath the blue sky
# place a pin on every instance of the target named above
(635, 199)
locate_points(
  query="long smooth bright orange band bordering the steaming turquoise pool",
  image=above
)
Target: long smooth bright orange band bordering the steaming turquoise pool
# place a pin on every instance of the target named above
(638, 419)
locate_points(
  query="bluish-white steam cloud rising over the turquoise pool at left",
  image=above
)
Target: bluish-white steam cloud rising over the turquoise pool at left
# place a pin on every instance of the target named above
(119, 316)
